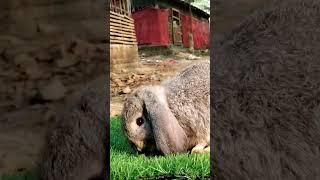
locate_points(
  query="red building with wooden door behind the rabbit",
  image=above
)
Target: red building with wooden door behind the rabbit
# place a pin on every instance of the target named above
(167, 22)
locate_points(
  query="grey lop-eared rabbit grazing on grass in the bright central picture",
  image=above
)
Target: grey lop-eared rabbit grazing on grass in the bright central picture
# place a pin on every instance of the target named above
(173, 117)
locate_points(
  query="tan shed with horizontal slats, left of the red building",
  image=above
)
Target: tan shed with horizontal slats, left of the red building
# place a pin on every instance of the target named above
(123, 42)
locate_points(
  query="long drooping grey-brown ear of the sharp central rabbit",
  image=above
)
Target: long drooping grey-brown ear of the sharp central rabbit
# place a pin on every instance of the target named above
(168, 134)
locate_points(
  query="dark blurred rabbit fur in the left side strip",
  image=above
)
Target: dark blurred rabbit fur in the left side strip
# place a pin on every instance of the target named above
(75, 146)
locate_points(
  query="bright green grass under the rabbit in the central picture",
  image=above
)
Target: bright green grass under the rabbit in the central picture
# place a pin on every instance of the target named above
(127, 164)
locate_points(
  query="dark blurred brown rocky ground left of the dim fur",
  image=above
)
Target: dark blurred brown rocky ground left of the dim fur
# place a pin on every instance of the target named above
(48, 50)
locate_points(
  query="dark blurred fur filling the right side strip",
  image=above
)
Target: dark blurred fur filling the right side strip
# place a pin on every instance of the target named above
(266, 95)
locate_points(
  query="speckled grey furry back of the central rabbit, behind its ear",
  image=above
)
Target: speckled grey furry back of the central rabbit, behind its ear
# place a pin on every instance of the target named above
(188, 98)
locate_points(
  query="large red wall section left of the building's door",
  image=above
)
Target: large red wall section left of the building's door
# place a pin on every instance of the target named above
(151, 26)
